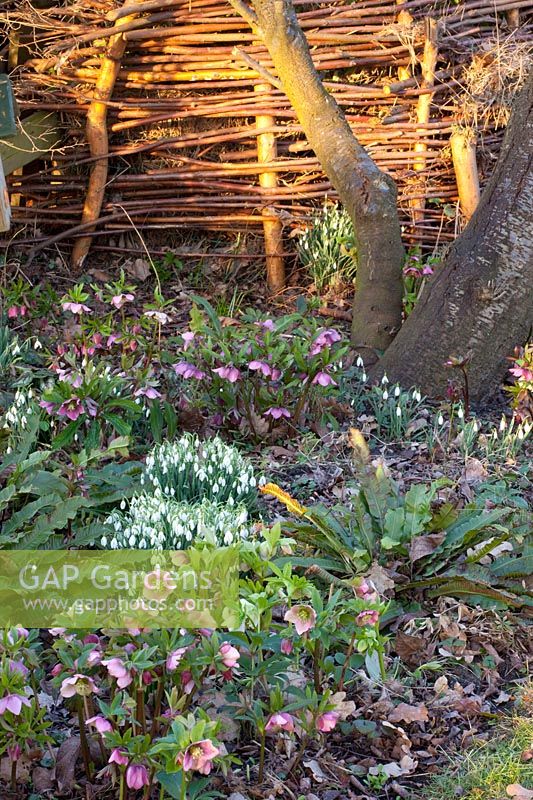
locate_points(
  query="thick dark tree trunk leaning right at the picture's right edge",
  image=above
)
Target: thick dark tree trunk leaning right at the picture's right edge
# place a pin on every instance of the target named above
(479, 305)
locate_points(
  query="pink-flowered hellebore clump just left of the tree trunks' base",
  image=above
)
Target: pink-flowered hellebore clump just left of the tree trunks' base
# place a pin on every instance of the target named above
(260, 376)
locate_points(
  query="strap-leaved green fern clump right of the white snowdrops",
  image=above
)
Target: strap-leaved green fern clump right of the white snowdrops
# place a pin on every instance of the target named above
(445, 549)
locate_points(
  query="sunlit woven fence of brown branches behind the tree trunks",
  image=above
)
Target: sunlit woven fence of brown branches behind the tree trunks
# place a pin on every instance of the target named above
(170, 113)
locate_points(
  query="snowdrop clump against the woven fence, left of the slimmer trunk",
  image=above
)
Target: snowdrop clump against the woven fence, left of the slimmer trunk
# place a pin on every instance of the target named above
(327, 248)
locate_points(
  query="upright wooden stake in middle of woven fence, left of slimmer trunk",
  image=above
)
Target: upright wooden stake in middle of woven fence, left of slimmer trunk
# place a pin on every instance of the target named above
(267, 152)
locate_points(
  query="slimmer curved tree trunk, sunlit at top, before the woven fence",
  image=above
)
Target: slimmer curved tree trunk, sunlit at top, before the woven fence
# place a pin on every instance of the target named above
(368, 194)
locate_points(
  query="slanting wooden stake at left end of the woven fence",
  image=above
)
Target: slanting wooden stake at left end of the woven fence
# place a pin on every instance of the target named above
(98, 141)
